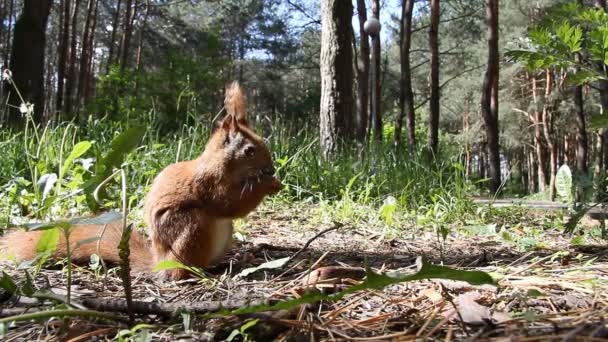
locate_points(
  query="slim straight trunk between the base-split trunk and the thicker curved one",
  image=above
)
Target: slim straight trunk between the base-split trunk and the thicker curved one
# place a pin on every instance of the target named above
(434, 78)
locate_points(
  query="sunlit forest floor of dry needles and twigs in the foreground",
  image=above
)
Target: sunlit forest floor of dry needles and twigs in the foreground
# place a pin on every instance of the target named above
(555, 291)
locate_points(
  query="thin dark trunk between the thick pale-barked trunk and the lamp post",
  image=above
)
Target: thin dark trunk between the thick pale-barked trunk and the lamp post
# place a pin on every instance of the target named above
(362, 75)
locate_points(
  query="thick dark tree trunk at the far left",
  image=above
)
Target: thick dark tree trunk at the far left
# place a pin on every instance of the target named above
(27, 58)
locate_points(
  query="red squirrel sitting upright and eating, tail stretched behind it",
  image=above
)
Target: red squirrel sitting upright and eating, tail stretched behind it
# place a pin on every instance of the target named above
(190, 206)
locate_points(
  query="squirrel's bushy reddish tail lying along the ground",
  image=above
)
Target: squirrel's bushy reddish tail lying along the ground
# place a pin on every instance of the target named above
(83, 243)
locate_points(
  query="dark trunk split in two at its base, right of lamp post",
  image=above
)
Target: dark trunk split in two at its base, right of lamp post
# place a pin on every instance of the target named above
(406, 95)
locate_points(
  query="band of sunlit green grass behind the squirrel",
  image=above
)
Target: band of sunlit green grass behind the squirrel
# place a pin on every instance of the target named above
(351, 183)
